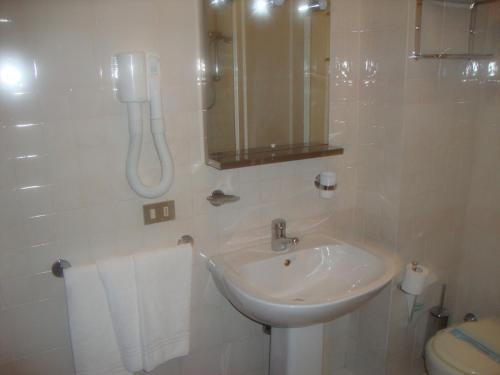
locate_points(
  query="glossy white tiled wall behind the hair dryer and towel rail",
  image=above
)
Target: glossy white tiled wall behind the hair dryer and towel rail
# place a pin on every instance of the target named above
(63, 142)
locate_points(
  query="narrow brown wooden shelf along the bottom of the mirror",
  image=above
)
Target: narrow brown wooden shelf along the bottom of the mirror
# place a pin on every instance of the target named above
(268, 155)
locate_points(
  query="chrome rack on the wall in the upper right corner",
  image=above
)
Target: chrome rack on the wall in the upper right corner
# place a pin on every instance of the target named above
(469, 55)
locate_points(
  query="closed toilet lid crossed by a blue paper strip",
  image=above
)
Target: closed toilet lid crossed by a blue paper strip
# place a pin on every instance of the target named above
(463, 356)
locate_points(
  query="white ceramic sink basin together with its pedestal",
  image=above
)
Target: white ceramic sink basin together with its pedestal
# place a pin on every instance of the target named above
(296, 291)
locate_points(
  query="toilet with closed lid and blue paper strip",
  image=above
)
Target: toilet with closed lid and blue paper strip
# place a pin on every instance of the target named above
(447, 354)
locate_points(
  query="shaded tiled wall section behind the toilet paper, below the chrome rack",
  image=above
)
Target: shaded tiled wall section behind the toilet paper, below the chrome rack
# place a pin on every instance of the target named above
(443, 104)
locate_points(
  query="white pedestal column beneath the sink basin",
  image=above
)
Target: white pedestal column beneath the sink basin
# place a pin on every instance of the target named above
(297, 351)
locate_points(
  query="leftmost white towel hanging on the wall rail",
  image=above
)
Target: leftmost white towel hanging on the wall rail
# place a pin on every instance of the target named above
(95, 350)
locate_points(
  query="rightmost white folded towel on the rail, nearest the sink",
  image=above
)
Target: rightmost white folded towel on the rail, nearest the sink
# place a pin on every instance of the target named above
(164, 295)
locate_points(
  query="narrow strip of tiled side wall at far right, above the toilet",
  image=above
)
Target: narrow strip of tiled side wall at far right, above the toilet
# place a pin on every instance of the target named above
(478, 290)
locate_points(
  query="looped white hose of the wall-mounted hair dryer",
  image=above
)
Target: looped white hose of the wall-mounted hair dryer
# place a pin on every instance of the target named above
(134, 152)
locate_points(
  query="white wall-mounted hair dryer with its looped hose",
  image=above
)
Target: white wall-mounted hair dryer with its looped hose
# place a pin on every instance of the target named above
(137, 78)
